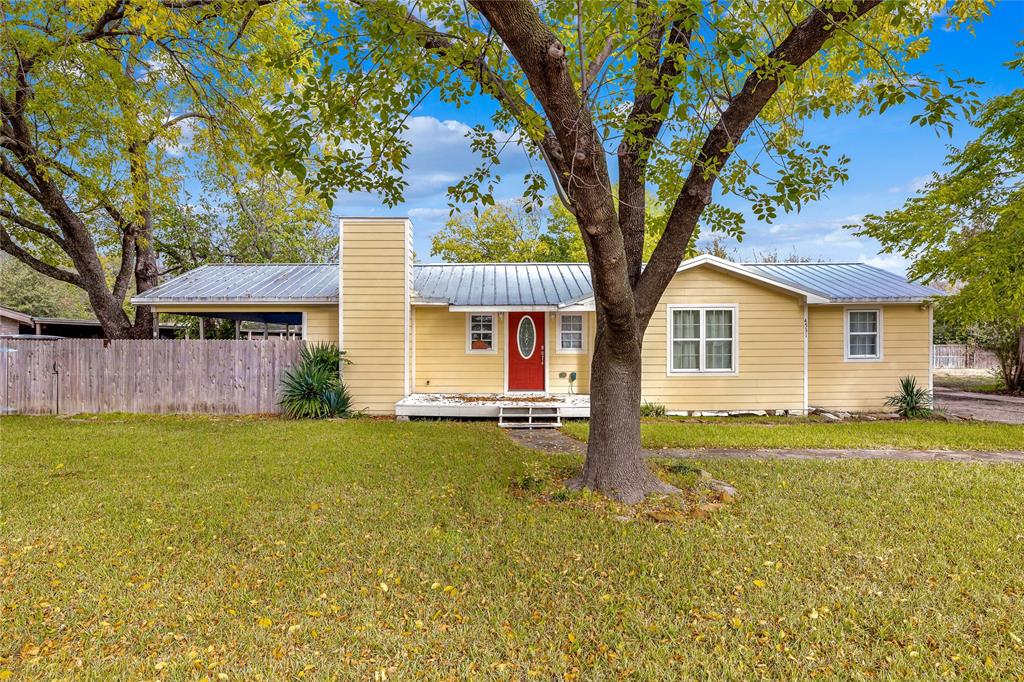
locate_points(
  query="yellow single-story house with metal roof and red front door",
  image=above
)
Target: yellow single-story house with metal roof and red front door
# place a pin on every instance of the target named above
(727, 337)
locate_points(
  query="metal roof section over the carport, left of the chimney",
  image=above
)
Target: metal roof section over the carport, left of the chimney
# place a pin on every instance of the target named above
(267, 283)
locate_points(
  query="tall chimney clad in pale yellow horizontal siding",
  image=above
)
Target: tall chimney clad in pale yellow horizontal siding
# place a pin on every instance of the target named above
(376, 277)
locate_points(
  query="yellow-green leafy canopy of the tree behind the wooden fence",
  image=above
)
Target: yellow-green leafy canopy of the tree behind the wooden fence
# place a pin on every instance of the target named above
(112, 110)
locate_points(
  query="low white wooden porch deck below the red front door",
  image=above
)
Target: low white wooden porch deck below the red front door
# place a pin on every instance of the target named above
(489, 406)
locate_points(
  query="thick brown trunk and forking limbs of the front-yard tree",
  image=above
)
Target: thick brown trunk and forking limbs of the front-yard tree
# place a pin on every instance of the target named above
(626, 294)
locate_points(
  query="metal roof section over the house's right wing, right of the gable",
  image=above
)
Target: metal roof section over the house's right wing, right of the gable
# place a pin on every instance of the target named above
(845, 282)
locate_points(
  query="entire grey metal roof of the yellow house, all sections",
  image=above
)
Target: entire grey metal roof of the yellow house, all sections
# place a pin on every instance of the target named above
(501, 285)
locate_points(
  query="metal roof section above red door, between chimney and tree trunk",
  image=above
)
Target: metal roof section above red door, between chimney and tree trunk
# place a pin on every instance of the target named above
(502, 284)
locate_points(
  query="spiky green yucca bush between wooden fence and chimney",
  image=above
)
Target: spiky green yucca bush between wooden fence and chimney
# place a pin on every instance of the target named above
(313, 390)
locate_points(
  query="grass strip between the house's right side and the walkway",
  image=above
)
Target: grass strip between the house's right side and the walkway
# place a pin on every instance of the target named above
(753, 433)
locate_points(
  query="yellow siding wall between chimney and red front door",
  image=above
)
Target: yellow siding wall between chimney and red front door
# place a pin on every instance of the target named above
(443, 366)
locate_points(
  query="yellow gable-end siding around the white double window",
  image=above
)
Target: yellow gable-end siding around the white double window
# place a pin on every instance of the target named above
(772, 348)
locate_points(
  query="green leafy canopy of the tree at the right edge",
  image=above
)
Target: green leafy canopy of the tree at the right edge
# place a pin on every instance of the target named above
(966, 228)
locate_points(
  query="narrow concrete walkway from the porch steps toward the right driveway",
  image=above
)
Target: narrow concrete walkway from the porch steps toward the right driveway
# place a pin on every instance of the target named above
(553, 441)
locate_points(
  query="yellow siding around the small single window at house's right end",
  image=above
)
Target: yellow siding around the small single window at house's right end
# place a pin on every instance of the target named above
(862, 386)
